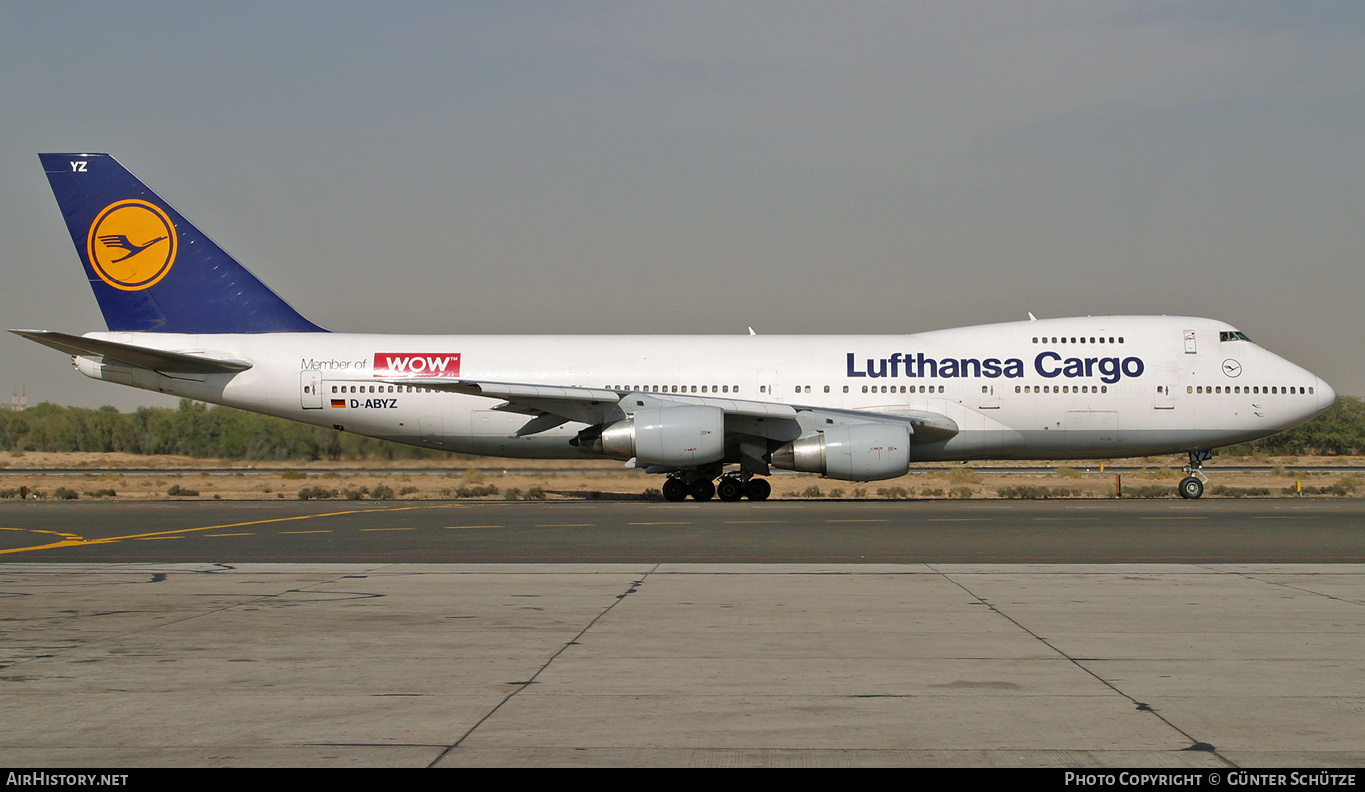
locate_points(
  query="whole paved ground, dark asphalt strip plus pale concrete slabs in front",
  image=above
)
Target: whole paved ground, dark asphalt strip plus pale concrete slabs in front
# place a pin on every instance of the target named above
(609, 634)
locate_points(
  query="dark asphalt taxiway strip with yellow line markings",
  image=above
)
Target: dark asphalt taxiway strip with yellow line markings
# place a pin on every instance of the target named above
(998, 532)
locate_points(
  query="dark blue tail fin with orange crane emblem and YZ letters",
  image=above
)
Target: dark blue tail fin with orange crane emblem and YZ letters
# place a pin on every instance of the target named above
(151, 270)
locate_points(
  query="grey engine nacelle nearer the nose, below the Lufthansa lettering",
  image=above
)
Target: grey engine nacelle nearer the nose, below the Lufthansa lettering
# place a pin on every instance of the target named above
(858, 453)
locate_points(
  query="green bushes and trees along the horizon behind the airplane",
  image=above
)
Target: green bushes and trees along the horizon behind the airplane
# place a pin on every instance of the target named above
(196, 429)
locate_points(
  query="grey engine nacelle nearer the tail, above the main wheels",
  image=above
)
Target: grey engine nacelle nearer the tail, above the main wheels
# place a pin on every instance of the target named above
(674, 436)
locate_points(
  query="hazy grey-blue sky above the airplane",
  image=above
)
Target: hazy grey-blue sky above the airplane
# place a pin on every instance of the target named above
(704, 167)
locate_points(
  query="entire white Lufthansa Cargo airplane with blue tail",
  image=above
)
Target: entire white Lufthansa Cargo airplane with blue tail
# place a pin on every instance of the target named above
(186, 319)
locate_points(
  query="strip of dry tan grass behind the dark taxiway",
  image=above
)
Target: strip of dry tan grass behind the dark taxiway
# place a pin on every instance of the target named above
(589, 479)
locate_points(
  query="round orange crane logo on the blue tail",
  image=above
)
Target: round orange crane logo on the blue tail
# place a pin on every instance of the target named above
(132, 245)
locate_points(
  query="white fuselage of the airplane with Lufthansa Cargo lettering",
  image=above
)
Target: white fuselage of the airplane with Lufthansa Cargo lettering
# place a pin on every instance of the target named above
(1094, 387)
